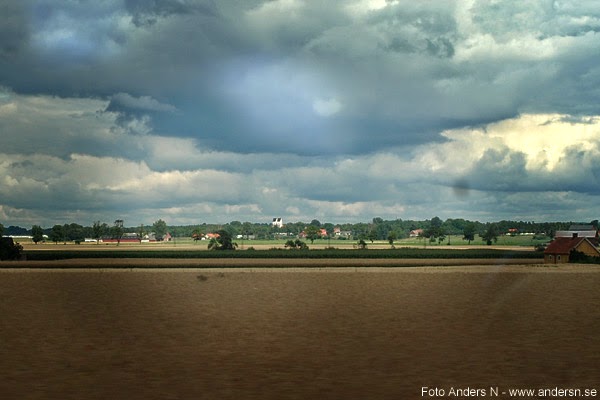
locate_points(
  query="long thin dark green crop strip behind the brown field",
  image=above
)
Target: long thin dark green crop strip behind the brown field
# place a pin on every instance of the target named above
(290, 254)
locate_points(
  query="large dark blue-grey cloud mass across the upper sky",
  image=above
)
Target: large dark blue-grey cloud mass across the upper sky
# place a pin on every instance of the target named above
(400, 73)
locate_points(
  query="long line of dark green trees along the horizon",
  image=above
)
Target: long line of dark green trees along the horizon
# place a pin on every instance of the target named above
(434, 229)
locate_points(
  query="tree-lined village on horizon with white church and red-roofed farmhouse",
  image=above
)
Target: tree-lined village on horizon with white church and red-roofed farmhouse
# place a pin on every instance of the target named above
(563, 242)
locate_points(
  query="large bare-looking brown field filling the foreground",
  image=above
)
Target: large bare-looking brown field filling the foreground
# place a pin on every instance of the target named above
(297, 333)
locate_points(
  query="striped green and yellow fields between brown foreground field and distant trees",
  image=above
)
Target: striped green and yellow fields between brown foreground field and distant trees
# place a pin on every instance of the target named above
(518, 247)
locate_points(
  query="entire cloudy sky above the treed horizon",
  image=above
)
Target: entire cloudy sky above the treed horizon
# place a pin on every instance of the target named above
(213, 111)
